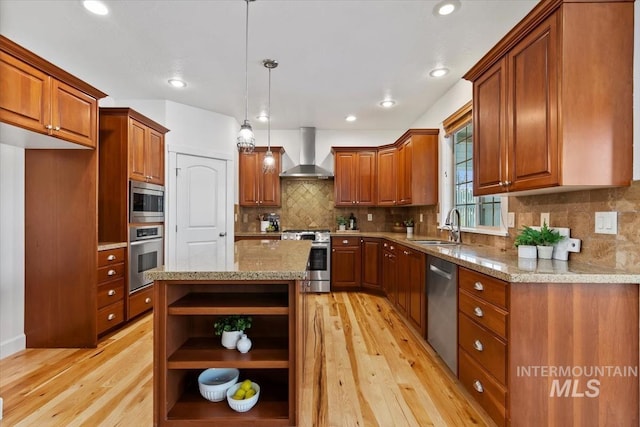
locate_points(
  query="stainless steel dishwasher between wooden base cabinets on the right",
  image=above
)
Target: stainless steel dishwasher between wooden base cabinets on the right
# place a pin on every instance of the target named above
(442, 309)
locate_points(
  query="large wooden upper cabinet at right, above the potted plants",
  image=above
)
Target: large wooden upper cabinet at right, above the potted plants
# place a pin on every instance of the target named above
(546, 112)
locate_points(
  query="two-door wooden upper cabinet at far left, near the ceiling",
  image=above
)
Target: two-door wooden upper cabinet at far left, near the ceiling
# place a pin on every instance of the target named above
(37, 96)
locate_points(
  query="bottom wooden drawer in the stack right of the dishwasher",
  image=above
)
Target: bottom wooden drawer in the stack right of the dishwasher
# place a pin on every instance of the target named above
(487, 392)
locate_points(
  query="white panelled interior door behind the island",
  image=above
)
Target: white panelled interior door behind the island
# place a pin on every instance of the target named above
(201, 187)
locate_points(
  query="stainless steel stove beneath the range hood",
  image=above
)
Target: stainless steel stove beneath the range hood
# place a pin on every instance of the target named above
(319, 259)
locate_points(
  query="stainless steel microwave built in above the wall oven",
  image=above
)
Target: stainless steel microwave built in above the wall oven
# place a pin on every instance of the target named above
(146, 203)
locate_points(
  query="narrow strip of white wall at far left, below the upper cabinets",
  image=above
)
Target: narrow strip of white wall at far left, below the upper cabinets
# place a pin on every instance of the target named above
(12, 338)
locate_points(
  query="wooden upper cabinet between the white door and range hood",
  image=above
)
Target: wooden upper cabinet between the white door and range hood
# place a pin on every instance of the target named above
(256, 187)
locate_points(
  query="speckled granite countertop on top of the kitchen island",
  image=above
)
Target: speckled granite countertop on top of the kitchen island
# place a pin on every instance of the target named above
(252, 260)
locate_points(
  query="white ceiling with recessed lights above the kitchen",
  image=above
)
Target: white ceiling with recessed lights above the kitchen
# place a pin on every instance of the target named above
(337, 57)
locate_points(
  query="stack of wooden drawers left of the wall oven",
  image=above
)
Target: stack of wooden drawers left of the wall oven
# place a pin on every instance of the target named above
(111, 289)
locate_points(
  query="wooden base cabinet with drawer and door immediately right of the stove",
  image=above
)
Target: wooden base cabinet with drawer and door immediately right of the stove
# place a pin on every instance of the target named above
(346, 262)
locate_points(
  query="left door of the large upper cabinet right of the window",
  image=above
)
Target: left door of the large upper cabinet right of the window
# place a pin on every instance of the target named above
(489, 138)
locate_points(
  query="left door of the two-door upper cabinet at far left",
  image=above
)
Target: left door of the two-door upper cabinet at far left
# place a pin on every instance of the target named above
(25, 95)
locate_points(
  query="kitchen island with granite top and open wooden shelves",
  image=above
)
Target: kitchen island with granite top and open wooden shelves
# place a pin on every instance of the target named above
(264, 281)
